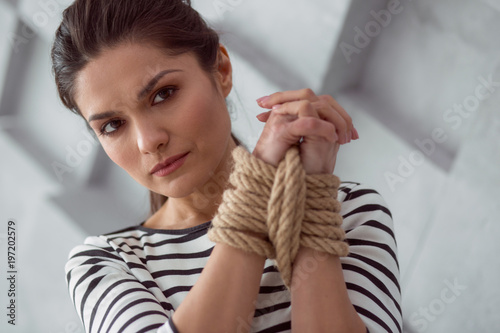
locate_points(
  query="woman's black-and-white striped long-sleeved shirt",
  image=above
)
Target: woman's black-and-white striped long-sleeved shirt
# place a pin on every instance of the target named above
(134, 279)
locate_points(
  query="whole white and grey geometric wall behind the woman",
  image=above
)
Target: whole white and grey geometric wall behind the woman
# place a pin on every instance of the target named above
(398, 89)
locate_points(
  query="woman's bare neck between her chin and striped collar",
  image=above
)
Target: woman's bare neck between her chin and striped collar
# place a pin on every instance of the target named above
(199, 207)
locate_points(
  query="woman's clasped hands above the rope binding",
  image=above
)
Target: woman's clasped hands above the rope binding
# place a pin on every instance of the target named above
(318, 124)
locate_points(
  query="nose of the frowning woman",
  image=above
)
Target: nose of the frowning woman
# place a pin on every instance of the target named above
(151, 136)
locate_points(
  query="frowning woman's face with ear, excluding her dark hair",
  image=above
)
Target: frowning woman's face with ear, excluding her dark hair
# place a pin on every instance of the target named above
(153, 112)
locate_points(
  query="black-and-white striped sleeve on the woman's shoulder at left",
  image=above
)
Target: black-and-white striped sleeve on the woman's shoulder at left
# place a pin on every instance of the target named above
(107, 297)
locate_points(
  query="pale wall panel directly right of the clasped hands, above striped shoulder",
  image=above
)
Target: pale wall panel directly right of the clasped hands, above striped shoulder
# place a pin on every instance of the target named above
(377, 158)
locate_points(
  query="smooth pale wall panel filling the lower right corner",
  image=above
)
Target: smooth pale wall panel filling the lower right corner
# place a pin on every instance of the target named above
(457, 263)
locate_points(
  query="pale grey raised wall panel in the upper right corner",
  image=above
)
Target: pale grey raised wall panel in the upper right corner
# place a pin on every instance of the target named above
(442, 56)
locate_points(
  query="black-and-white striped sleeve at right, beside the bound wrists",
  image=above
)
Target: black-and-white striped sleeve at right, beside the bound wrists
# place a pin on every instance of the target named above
(371, 270)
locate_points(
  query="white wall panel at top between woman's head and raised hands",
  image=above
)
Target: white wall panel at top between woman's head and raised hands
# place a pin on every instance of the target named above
(280, 38)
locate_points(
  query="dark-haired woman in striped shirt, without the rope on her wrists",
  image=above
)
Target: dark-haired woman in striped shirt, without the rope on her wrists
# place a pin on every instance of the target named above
(150, 78)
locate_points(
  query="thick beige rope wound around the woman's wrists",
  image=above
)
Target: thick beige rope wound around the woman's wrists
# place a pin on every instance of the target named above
(273, 211)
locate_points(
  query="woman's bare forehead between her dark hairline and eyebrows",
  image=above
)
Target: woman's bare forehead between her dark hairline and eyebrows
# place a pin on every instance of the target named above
(120, 73)
